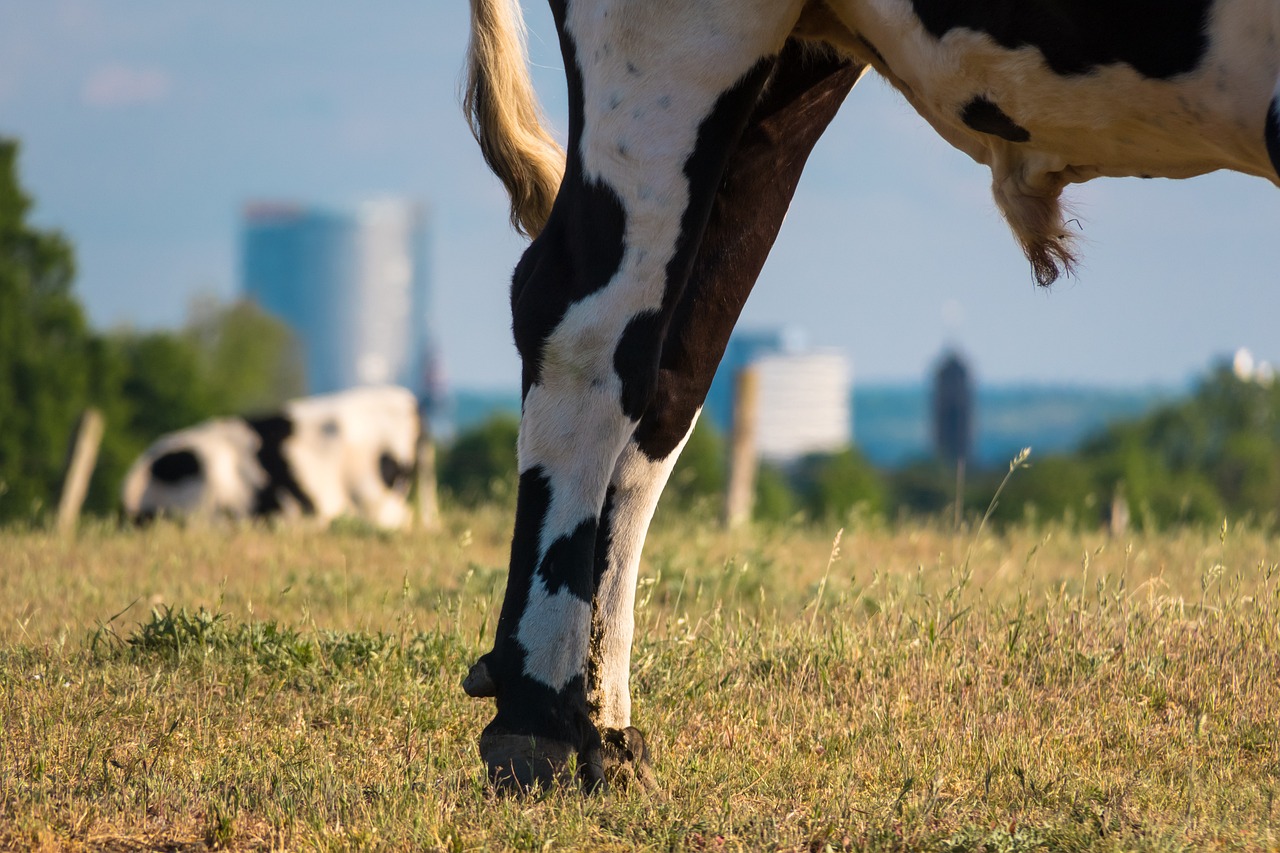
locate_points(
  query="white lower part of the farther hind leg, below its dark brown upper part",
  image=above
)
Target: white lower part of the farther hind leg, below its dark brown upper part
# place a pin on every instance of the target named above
(638, 483)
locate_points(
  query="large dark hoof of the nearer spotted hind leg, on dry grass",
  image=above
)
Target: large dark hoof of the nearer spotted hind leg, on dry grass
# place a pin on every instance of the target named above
(524, 764)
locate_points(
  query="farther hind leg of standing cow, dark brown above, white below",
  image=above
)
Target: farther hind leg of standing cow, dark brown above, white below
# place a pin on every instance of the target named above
(803, 94)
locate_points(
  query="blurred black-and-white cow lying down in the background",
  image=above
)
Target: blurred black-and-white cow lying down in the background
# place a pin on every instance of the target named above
(350, 454)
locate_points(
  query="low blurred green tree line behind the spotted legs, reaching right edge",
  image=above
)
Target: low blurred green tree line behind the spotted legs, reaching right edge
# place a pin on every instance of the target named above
(1213, 455)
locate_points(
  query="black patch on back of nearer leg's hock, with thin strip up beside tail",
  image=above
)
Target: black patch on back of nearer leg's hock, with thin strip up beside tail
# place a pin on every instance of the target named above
(579, 250)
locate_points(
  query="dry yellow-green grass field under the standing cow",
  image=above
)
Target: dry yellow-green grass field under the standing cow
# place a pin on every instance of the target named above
(912, 688)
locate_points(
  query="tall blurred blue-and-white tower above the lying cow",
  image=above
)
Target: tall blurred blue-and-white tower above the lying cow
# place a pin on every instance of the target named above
(354, 285)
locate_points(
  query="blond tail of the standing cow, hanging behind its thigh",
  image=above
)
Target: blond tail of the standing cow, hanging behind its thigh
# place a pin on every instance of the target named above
(506, 117)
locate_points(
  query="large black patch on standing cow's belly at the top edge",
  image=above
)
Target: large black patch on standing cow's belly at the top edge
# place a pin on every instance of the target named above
(1159, 39)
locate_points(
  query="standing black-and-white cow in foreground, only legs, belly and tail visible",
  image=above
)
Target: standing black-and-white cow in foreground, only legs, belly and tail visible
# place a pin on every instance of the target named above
(691, 122)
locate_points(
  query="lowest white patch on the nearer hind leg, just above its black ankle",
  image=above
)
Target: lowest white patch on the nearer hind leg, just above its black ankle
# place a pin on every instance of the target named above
(555, 631)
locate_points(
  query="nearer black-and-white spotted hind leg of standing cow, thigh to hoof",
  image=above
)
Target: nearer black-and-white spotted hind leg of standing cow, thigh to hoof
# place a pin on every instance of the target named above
(650, 131)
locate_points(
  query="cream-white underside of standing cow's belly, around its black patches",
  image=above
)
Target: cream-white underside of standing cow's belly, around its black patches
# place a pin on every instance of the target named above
(1110, 122)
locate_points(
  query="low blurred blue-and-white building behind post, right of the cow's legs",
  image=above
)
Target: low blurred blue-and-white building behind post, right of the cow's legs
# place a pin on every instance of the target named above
(803, 395)
